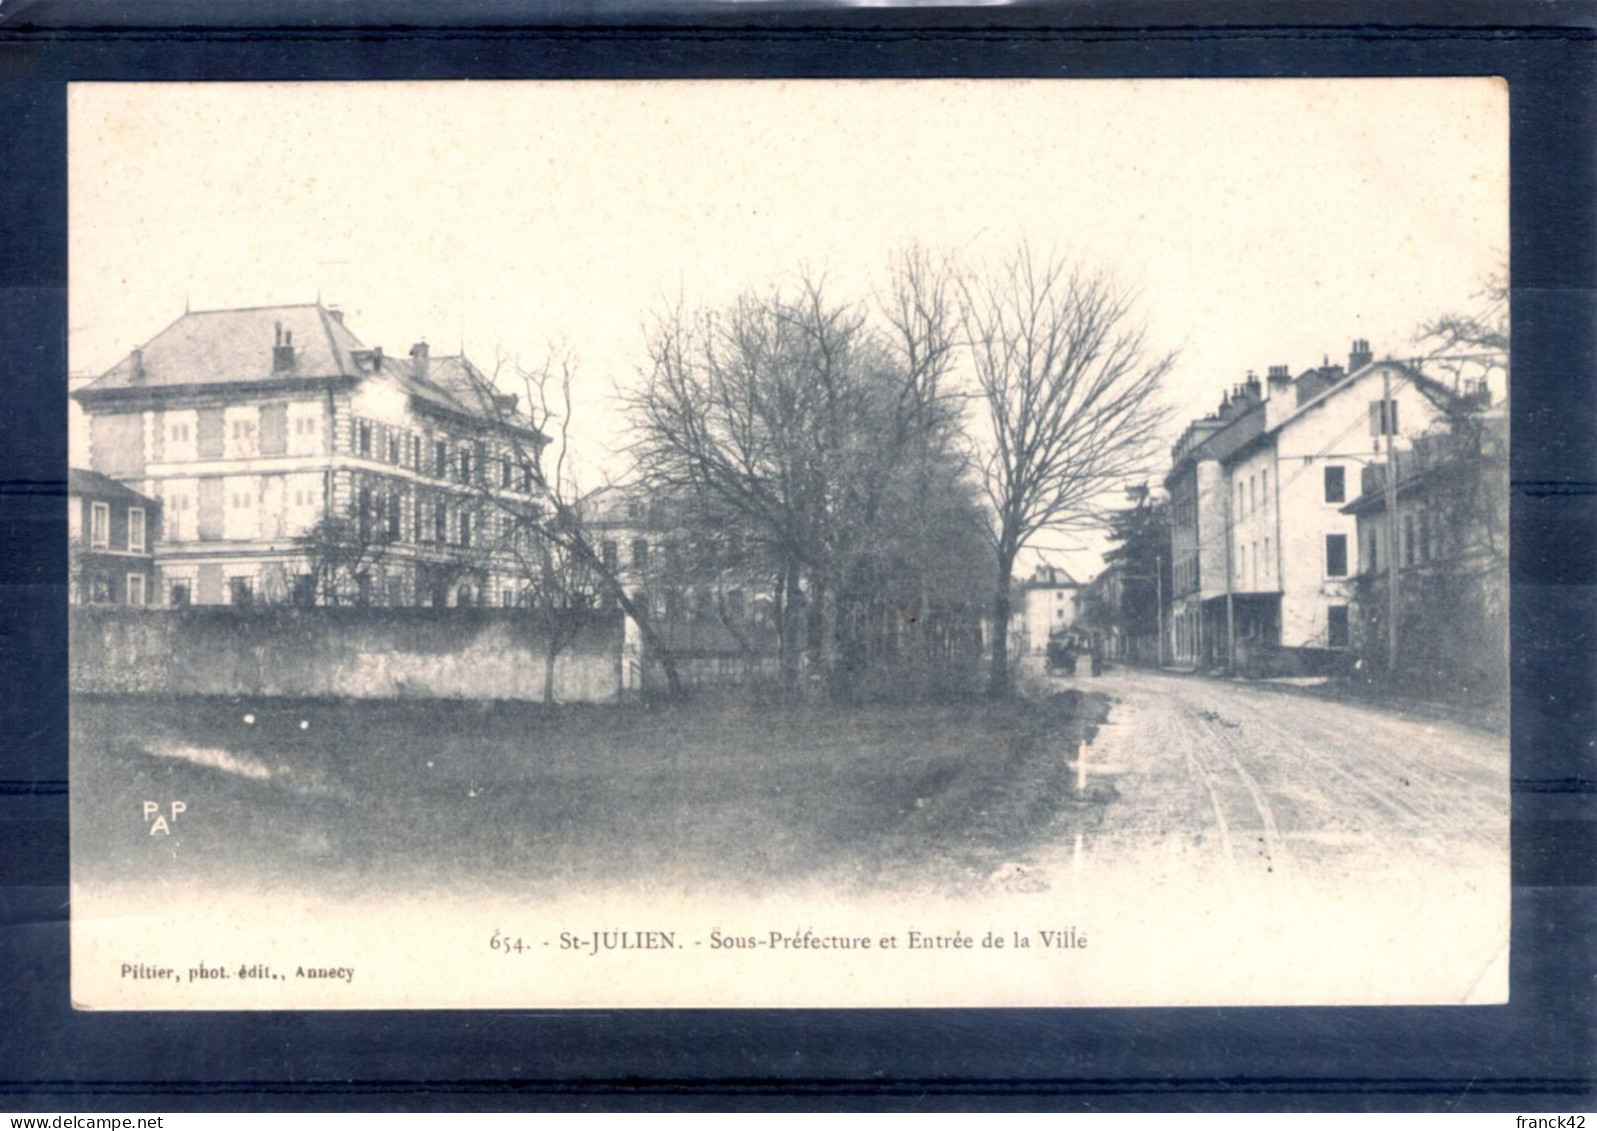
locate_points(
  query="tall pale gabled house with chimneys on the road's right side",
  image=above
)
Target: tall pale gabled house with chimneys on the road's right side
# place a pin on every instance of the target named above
(1262, 555)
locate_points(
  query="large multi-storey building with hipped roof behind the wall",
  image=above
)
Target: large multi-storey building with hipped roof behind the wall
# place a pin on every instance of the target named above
(296, 464)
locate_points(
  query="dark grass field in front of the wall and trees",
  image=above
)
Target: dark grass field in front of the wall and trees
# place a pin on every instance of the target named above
(403, 795)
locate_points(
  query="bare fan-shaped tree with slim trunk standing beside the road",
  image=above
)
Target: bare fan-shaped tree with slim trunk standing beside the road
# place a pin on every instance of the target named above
(1069, 407)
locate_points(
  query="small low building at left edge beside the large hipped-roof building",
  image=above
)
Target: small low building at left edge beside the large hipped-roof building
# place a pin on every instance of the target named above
(111, 533)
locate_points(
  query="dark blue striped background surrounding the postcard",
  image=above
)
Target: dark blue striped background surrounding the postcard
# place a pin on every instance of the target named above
(1532, 1055)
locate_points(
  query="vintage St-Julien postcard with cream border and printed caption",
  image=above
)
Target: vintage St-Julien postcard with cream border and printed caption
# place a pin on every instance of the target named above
(790, 544)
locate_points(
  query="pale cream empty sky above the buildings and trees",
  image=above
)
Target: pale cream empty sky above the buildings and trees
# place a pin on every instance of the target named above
(1261, 221)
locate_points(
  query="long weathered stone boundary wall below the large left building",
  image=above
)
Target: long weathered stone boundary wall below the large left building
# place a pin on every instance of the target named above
(450, 654)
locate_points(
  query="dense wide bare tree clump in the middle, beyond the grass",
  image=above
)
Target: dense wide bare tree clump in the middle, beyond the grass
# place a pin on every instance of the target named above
(812, 421)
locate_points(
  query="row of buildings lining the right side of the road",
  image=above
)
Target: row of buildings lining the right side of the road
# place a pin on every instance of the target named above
(1283, 539)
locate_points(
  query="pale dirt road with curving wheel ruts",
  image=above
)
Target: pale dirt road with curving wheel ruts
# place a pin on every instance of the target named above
(1258, 782)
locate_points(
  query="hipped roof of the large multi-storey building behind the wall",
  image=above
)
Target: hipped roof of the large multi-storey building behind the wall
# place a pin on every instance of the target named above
(236, 347)
